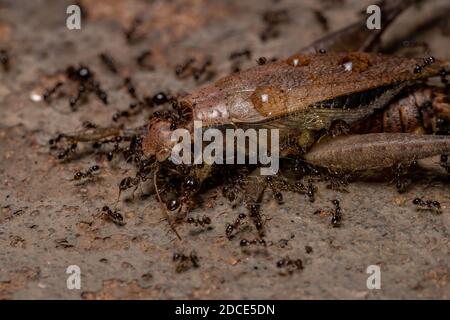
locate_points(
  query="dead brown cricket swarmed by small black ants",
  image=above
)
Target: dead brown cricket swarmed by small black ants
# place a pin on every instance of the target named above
(340, 107)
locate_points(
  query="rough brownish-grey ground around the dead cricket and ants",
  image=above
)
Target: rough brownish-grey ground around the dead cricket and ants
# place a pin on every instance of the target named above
(47, 222)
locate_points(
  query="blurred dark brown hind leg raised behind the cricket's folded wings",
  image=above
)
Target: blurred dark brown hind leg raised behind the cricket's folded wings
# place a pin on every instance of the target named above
(357, 37)
